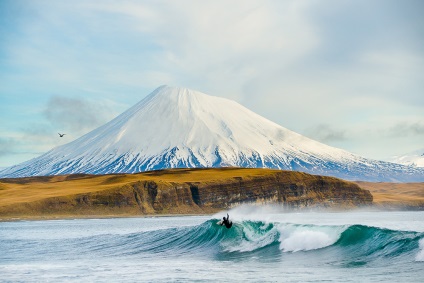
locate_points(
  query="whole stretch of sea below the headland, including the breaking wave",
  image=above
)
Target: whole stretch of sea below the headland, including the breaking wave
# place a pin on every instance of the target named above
(264, 245)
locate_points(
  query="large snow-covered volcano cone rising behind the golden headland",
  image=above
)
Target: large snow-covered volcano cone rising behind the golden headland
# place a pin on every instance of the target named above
(179, 127)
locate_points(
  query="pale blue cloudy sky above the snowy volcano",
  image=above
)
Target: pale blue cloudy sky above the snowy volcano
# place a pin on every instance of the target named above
(347, 73)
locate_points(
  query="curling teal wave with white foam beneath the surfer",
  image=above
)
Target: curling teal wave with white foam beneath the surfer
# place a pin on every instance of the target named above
(356, 243)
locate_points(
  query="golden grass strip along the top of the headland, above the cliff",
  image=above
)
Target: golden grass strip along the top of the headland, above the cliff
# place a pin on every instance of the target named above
(25, 190)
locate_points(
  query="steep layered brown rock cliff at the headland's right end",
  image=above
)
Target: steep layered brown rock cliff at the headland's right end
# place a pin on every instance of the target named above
(301, 190)
